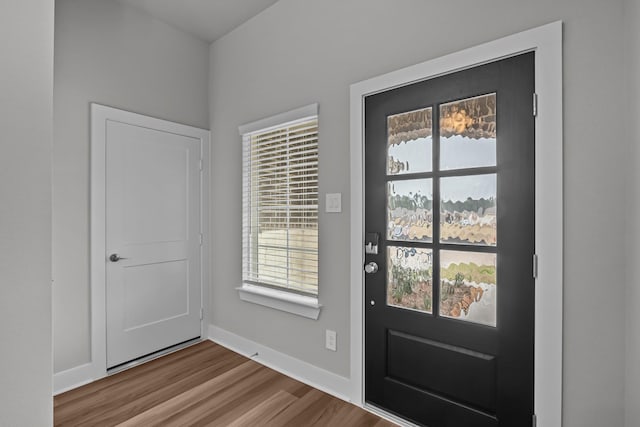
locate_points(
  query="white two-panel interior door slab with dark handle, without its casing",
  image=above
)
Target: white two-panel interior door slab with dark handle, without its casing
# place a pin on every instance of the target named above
(153, 240)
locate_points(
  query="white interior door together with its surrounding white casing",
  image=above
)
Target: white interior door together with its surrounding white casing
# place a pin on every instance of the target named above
(148, 208)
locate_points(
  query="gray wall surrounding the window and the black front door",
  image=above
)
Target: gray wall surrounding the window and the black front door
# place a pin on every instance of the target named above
(303, 51)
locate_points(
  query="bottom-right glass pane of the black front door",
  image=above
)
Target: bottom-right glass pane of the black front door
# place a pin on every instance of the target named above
(468, 286)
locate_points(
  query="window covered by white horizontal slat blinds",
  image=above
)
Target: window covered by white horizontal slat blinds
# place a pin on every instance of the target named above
(280, 204)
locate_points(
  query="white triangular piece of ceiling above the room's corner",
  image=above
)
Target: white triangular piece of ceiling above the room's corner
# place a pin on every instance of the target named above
(205, 19)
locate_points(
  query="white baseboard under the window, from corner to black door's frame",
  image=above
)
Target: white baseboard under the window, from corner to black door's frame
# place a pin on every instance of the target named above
(319, 378)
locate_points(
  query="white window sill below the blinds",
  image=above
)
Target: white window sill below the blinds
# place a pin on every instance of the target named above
(281, 300)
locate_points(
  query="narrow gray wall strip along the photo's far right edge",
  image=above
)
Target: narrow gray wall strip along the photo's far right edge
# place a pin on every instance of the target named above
(632, 397)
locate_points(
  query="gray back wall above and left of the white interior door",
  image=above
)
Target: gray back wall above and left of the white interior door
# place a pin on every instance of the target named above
(111, 54)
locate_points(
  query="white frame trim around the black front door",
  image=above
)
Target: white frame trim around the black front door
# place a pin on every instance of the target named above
(546, 41)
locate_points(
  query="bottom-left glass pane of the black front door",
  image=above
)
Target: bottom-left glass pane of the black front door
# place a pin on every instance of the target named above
(409, 278)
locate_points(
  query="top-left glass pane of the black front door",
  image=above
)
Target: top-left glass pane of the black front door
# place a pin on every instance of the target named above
(409, 142)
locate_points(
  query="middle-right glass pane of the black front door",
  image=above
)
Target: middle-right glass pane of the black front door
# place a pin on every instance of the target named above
(468, 210)
